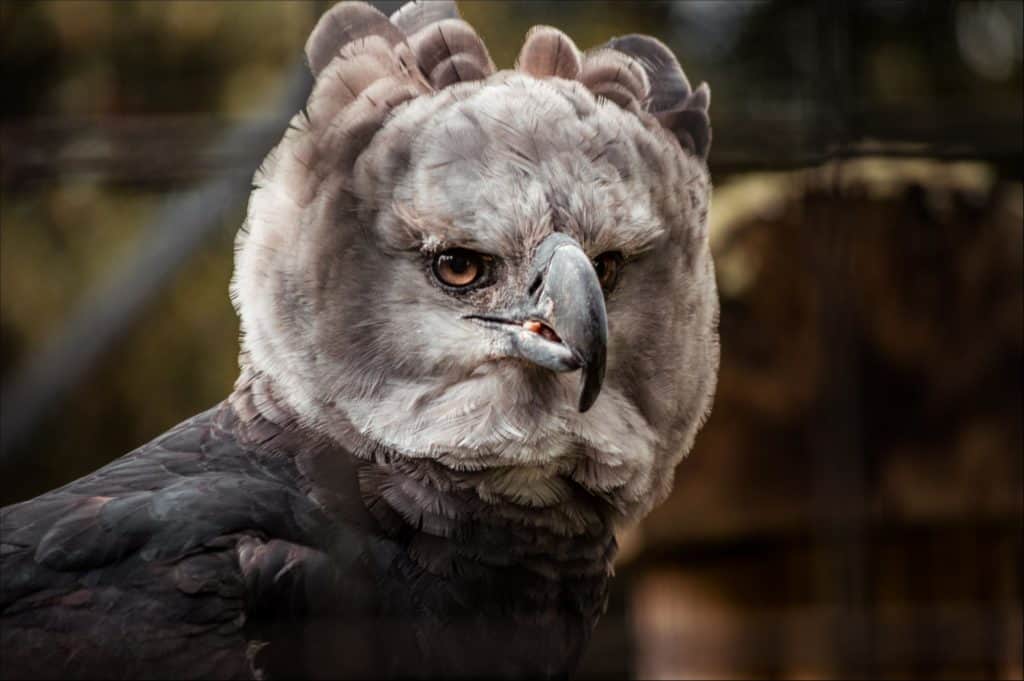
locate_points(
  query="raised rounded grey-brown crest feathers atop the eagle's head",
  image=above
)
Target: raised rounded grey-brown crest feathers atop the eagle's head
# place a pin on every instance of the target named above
(367, 64)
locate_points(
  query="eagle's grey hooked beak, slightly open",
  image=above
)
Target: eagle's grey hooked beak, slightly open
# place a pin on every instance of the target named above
(563, 326)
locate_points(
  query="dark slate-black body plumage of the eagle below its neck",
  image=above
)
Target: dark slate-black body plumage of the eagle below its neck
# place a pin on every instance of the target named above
(235, 547)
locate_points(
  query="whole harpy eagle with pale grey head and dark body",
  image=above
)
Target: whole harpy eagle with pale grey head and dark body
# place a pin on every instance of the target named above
(480, 331)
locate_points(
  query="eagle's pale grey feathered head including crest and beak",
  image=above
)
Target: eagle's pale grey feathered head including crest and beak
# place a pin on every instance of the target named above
(489, 269)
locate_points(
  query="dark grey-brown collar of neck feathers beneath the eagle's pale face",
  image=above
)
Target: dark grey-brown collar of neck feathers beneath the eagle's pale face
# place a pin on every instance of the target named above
(451, 521)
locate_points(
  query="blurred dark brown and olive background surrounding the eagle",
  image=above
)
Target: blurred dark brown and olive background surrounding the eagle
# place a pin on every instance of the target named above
(854, 507)
